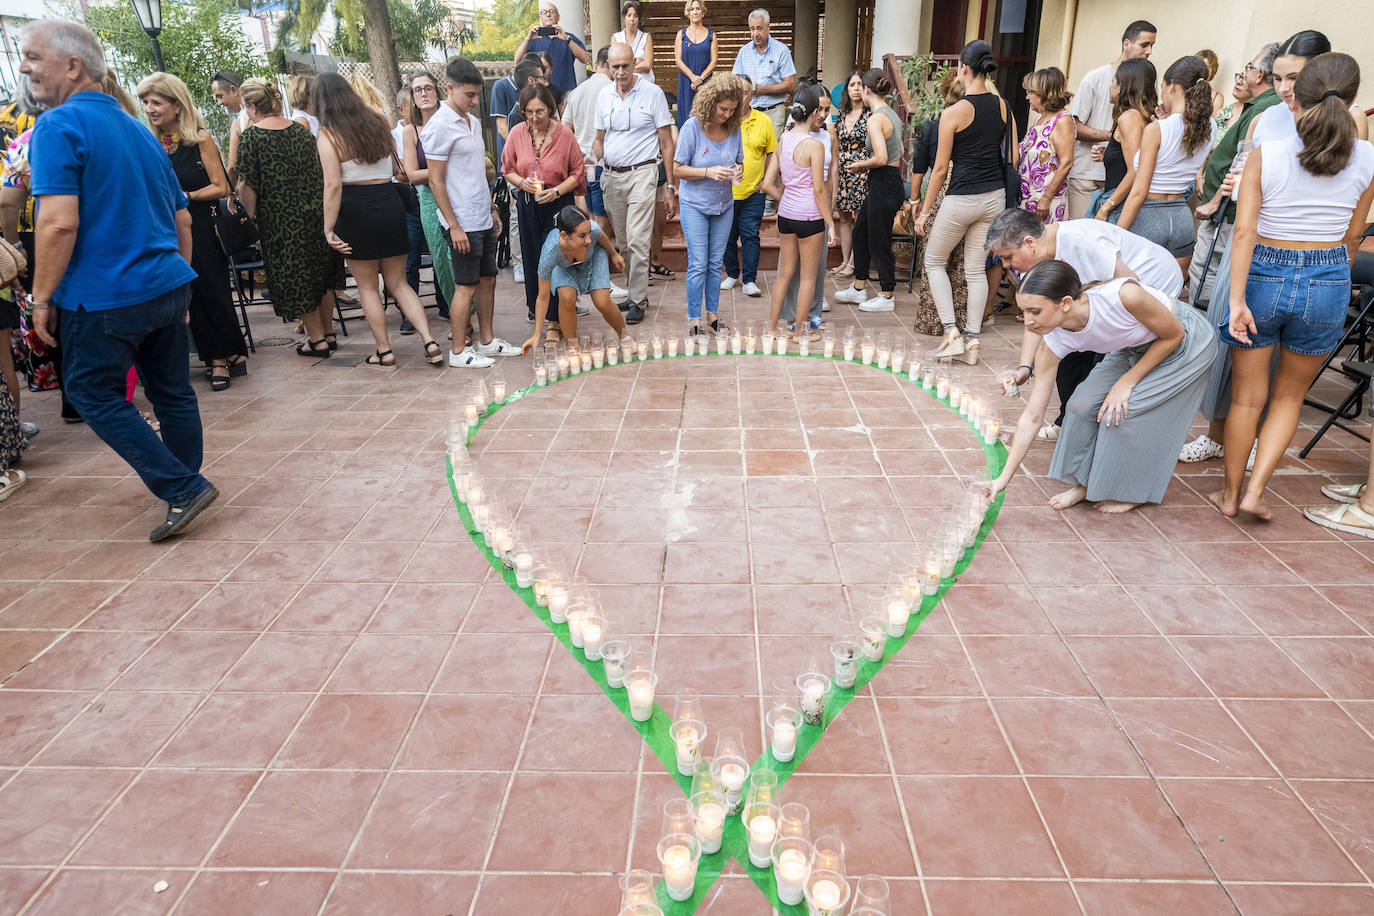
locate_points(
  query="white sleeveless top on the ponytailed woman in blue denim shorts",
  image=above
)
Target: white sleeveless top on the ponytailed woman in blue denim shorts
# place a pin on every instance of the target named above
(1296, 204)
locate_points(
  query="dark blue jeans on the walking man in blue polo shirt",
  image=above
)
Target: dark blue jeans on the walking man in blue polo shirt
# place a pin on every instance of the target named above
(98, 351)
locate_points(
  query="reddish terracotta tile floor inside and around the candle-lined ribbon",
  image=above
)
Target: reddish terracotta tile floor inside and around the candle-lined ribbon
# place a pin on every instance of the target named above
(325, 702)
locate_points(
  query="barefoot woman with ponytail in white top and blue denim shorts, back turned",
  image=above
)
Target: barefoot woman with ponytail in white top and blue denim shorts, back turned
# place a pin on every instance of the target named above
(1292, 292)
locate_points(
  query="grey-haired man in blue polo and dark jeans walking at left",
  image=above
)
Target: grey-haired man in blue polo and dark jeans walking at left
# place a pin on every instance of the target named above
(115, 275)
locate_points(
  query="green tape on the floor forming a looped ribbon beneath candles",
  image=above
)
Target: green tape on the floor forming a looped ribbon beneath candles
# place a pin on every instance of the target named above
(656, 730)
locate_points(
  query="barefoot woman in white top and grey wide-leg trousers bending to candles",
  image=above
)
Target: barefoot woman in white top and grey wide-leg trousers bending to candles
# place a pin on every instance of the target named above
(1125, 424)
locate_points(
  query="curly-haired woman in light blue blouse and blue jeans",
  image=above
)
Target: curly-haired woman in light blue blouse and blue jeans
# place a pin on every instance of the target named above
(708, 161)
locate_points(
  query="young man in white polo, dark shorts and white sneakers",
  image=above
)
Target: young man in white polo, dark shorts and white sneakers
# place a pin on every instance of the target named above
(457, 159)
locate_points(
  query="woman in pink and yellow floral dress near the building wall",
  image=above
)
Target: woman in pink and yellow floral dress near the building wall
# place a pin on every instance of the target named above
(1048, 148)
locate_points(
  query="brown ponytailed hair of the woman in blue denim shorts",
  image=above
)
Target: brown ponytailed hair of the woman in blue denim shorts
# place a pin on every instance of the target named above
(1325, 93)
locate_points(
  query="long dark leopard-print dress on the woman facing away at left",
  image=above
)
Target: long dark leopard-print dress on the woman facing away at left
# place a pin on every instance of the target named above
(284, 168)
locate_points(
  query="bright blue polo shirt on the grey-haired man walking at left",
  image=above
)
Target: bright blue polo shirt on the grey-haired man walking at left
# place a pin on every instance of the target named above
(127, 247)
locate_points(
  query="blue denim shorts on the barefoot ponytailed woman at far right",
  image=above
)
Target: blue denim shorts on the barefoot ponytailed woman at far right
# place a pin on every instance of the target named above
(1298, 297)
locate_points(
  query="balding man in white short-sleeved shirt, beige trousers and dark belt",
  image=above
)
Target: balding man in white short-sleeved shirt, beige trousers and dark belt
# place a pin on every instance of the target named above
(634, 130)
